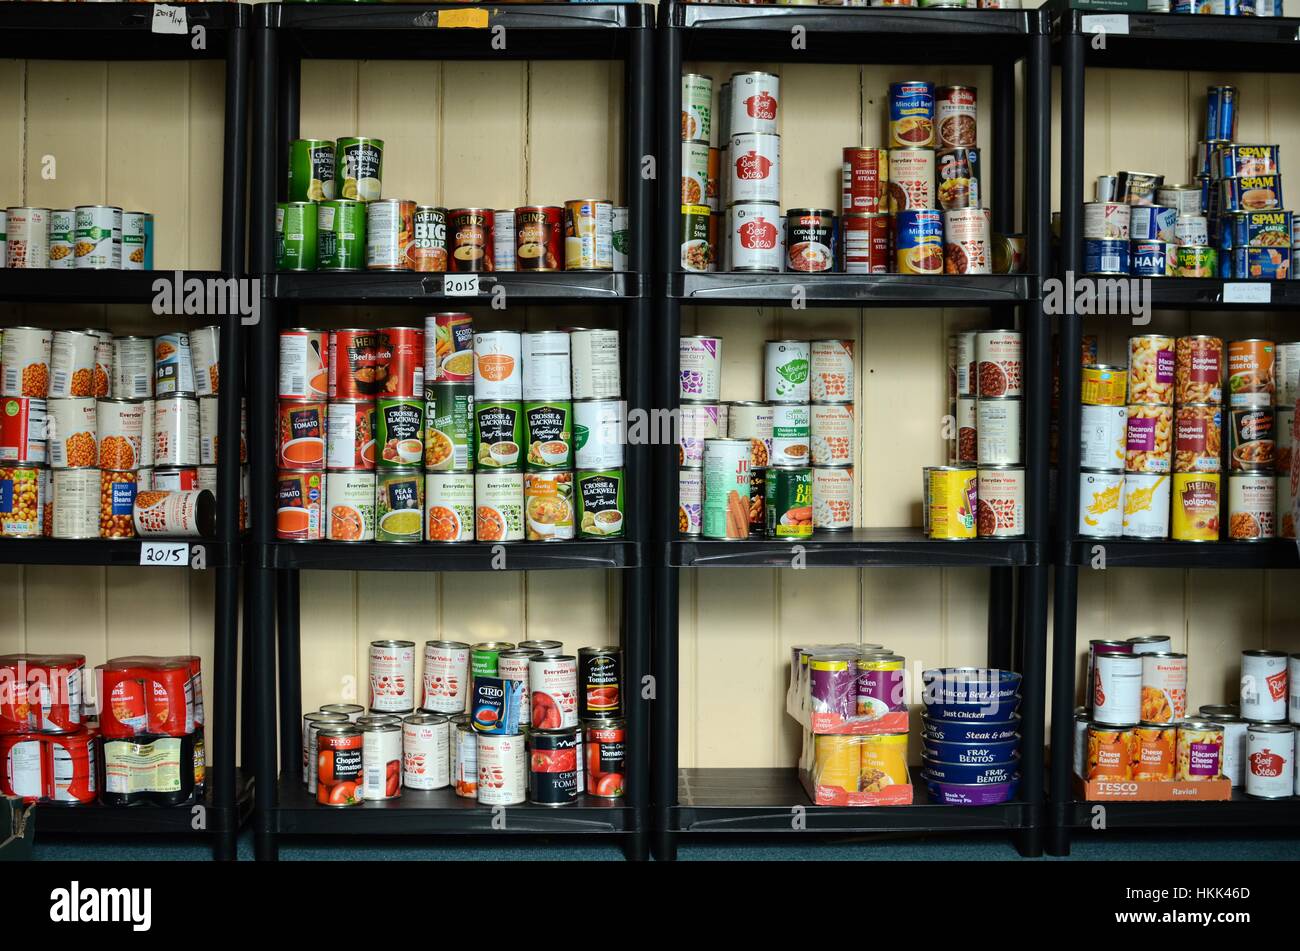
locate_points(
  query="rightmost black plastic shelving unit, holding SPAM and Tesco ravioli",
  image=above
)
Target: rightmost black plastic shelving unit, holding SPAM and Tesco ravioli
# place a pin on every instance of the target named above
(1152, 42)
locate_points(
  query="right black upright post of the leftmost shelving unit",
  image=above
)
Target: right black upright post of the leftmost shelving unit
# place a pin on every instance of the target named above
(227, 597)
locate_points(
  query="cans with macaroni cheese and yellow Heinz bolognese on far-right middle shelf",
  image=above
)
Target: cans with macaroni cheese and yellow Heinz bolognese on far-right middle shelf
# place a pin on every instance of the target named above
(1154, 442)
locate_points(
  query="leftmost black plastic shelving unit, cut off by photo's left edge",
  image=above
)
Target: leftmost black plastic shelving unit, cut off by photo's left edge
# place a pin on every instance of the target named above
(123, 32)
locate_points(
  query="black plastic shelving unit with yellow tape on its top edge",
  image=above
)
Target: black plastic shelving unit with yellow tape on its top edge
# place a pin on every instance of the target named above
(285, 36)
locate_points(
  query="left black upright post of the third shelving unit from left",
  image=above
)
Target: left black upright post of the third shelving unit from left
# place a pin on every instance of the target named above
(666, 344)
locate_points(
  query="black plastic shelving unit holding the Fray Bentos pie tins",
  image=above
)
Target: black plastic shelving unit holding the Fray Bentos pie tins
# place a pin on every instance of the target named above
(760, 801)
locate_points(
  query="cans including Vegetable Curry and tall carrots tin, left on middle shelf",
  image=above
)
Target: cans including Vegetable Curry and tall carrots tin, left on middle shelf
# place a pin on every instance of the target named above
(777, 468)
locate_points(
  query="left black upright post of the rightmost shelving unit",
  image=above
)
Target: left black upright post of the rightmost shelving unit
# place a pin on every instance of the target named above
(1067, 596)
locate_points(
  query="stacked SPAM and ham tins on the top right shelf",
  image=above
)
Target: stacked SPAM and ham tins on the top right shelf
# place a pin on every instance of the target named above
(1232, 224)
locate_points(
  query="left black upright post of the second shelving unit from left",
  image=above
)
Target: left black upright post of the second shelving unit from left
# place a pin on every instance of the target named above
(262, 432)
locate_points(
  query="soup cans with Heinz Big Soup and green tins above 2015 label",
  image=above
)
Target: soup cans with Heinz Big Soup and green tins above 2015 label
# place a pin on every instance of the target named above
(336, 220)
